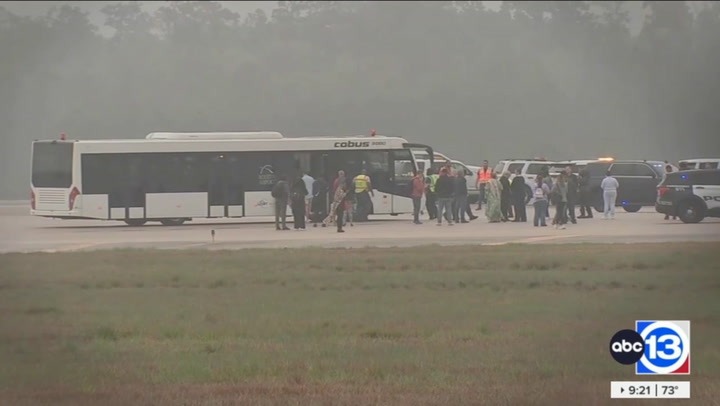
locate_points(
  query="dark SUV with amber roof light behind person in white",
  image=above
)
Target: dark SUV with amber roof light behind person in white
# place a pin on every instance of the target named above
(638, 182)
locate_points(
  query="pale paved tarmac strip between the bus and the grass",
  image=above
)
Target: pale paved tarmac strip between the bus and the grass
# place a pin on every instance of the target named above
(24, 233)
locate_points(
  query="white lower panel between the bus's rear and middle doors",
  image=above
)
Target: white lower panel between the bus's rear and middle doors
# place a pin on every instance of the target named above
(176, 205)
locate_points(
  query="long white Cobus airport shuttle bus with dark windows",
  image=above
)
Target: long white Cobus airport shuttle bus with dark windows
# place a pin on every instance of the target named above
(175, 177)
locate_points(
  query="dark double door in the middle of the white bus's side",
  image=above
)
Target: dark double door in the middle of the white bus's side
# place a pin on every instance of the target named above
(225, 194)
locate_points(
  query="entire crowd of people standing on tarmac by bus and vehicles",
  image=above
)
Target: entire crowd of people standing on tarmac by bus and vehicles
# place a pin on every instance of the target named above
(446, 196)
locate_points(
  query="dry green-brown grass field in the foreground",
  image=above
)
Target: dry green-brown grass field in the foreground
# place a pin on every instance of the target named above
(510, 325)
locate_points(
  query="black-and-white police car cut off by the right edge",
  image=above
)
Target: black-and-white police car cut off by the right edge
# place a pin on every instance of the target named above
(691, 195)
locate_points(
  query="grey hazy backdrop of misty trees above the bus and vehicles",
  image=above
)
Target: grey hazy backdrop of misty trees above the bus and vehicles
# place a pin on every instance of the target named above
(530, 79)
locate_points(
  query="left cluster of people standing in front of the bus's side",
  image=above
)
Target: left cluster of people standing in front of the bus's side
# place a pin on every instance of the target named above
(308, 200)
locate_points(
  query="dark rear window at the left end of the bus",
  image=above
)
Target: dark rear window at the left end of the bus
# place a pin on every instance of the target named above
(52, 164)
